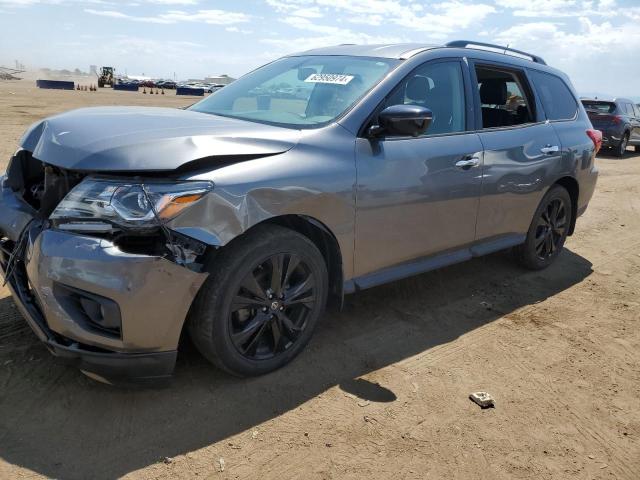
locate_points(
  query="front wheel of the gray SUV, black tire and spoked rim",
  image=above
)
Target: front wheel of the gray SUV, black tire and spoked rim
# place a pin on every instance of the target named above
(261, 303)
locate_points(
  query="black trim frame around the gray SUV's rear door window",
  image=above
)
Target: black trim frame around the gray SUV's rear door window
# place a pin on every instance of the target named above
(522, 75)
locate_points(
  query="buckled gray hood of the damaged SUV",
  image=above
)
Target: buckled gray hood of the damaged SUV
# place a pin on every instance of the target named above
(119, 139)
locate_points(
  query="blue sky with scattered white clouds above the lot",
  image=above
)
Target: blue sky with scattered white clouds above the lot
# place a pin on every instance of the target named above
(596, 42)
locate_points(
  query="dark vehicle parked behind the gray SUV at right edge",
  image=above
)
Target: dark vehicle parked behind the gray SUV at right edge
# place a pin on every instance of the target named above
(619, 122)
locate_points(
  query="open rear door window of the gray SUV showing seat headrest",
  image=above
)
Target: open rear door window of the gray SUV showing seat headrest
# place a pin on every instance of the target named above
(504, 99)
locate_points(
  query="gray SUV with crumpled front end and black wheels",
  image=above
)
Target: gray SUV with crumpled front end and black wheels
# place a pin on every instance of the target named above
(323, 173)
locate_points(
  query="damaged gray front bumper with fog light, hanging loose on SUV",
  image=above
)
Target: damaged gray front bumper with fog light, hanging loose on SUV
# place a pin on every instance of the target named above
(117, 315)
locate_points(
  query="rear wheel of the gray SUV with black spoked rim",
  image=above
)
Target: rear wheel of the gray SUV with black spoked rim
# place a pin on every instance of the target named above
(548, 230)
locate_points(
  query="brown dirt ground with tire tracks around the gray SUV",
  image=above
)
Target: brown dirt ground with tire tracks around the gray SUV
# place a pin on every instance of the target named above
(382, 391)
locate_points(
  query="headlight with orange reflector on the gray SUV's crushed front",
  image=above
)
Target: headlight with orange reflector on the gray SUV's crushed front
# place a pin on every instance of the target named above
(98, 204)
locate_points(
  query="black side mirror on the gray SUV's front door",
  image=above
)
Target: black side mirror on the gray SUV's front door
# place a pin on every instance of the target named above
(402, 120)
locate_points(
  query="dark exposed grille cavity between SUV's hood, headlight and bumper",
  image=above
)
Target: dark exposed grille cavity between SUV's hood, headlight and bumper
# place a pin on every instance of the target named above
(40, 185)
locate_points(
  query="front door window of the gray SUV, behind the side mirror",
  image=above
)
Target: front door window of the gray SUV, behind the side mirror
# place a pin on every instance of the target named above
(438, 86)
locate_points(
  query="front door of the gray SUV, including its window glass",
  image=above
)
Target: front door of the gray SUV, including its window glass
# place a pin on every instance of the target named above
(419, 196)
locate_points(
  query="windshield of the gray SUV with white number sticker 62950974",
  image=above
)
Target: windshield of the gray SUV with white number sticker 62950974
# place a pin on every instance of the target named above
(298, 92)
